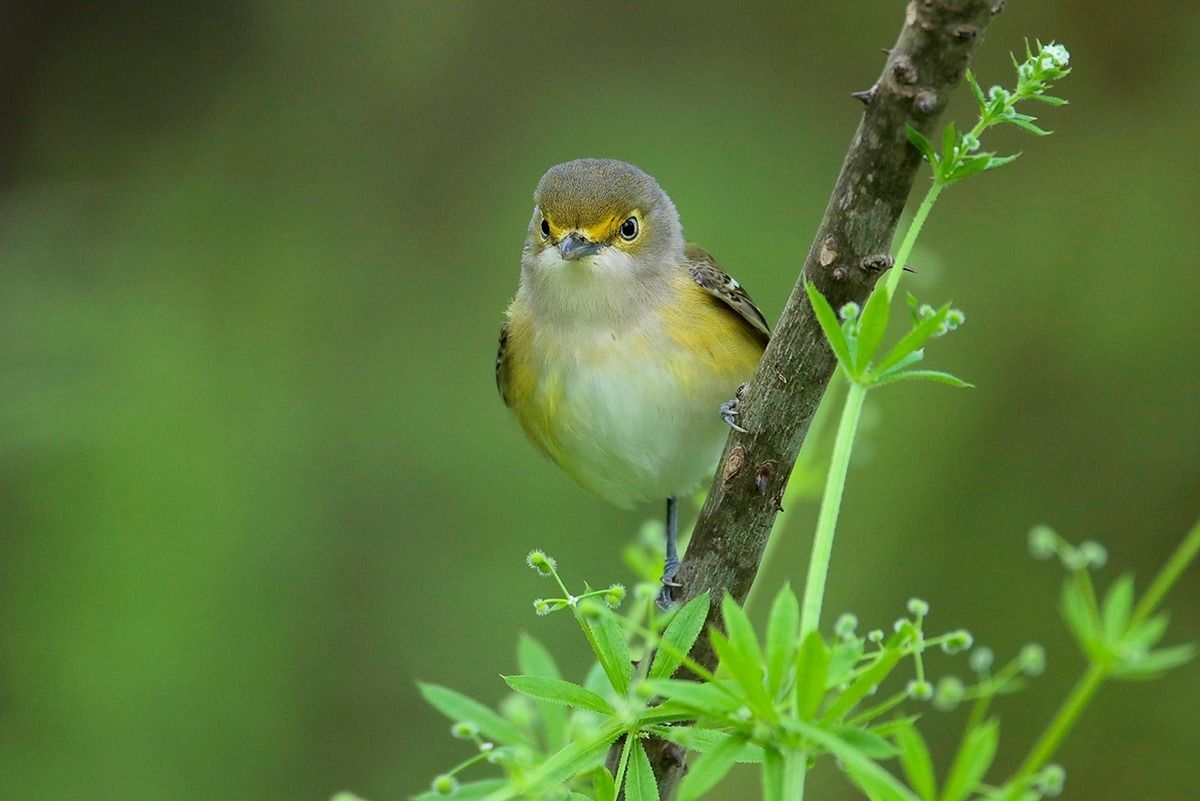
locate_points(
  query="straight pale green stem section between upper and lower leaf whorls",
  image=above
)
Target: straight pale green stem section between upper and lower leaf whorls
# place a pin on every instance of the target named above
(831, 504)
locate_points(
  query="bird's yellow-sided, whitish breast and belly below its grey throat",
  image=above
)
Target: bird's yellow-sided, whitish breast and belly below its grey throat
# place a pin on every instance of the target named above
(631, 408)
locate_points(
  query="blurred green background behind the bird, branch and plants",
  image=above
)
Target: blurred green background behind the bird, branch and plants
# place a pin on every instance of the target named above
(255, 477)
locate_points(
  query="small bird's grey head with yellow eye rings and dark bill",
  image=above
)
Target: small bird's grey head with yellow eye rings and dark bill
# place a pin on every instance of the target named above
(599, 221)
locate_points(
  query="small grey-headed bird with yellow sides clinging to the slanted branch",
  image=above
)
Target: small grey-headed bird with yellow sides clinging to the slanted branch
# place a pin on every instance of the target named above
(626, 350)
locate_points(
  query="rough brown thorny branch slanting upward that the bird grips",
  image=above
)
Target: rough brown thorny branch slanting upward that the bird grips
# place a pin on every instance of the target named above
(848, 256)
